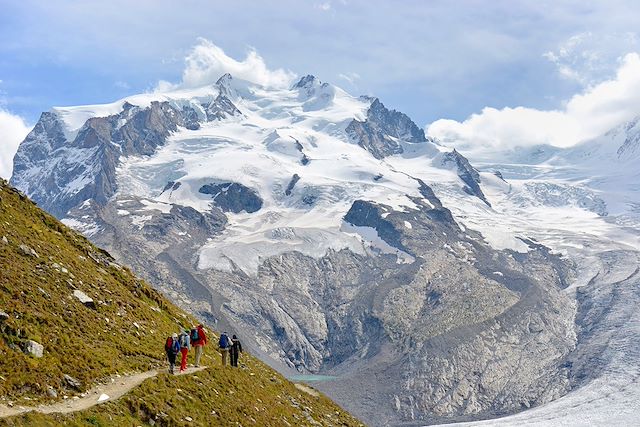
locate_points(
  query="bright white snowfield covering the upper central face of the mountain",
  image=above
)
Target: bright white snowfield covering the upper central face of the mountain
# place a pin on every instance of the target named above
(263, 150)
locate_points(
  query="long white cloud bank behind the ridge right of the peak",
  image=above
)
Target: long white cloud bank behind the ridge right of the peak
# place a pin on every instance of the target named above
(587, 115)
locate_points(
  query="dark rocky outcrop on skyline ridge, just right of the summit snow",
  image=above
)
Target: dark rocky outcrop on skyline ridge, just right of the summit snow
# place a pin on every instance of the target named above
(380, 133)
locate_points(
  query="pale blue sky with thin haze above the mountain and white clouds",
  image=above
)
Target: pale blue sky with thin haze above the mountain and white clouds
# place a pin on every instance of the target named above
(431, 59)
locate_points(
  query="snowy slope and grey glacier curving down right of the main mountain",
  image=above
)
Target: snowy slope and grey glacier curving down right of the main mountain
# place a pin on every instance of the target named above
(583, 202)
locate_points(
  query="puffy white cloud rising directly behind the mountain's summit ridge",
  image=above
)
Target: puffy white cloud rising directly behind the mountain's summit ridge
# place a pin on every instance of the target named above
(207, 62)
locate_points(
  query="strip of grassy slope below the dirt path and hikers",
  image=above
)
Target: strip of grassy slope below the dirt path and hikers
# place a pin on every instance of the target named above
(253, 395)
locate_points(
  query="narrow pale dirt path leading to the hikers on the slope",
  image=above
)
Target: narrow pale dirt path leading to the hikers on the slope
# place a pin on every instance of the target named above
(97, 395)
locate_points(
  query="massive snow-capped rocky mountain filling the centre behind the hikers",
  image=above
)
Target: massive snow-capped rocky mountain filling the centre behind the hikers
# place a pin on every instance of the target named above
(335, 237)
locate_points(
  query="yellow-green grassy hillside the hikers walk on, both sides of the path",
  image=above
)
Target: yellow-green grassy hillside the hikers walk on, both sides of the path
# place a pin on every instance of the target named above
(125, 333)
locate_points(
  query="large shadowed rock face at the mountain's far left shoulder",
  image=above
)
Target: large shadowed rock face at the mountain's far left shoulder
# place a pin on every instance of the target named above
(60, 174)
